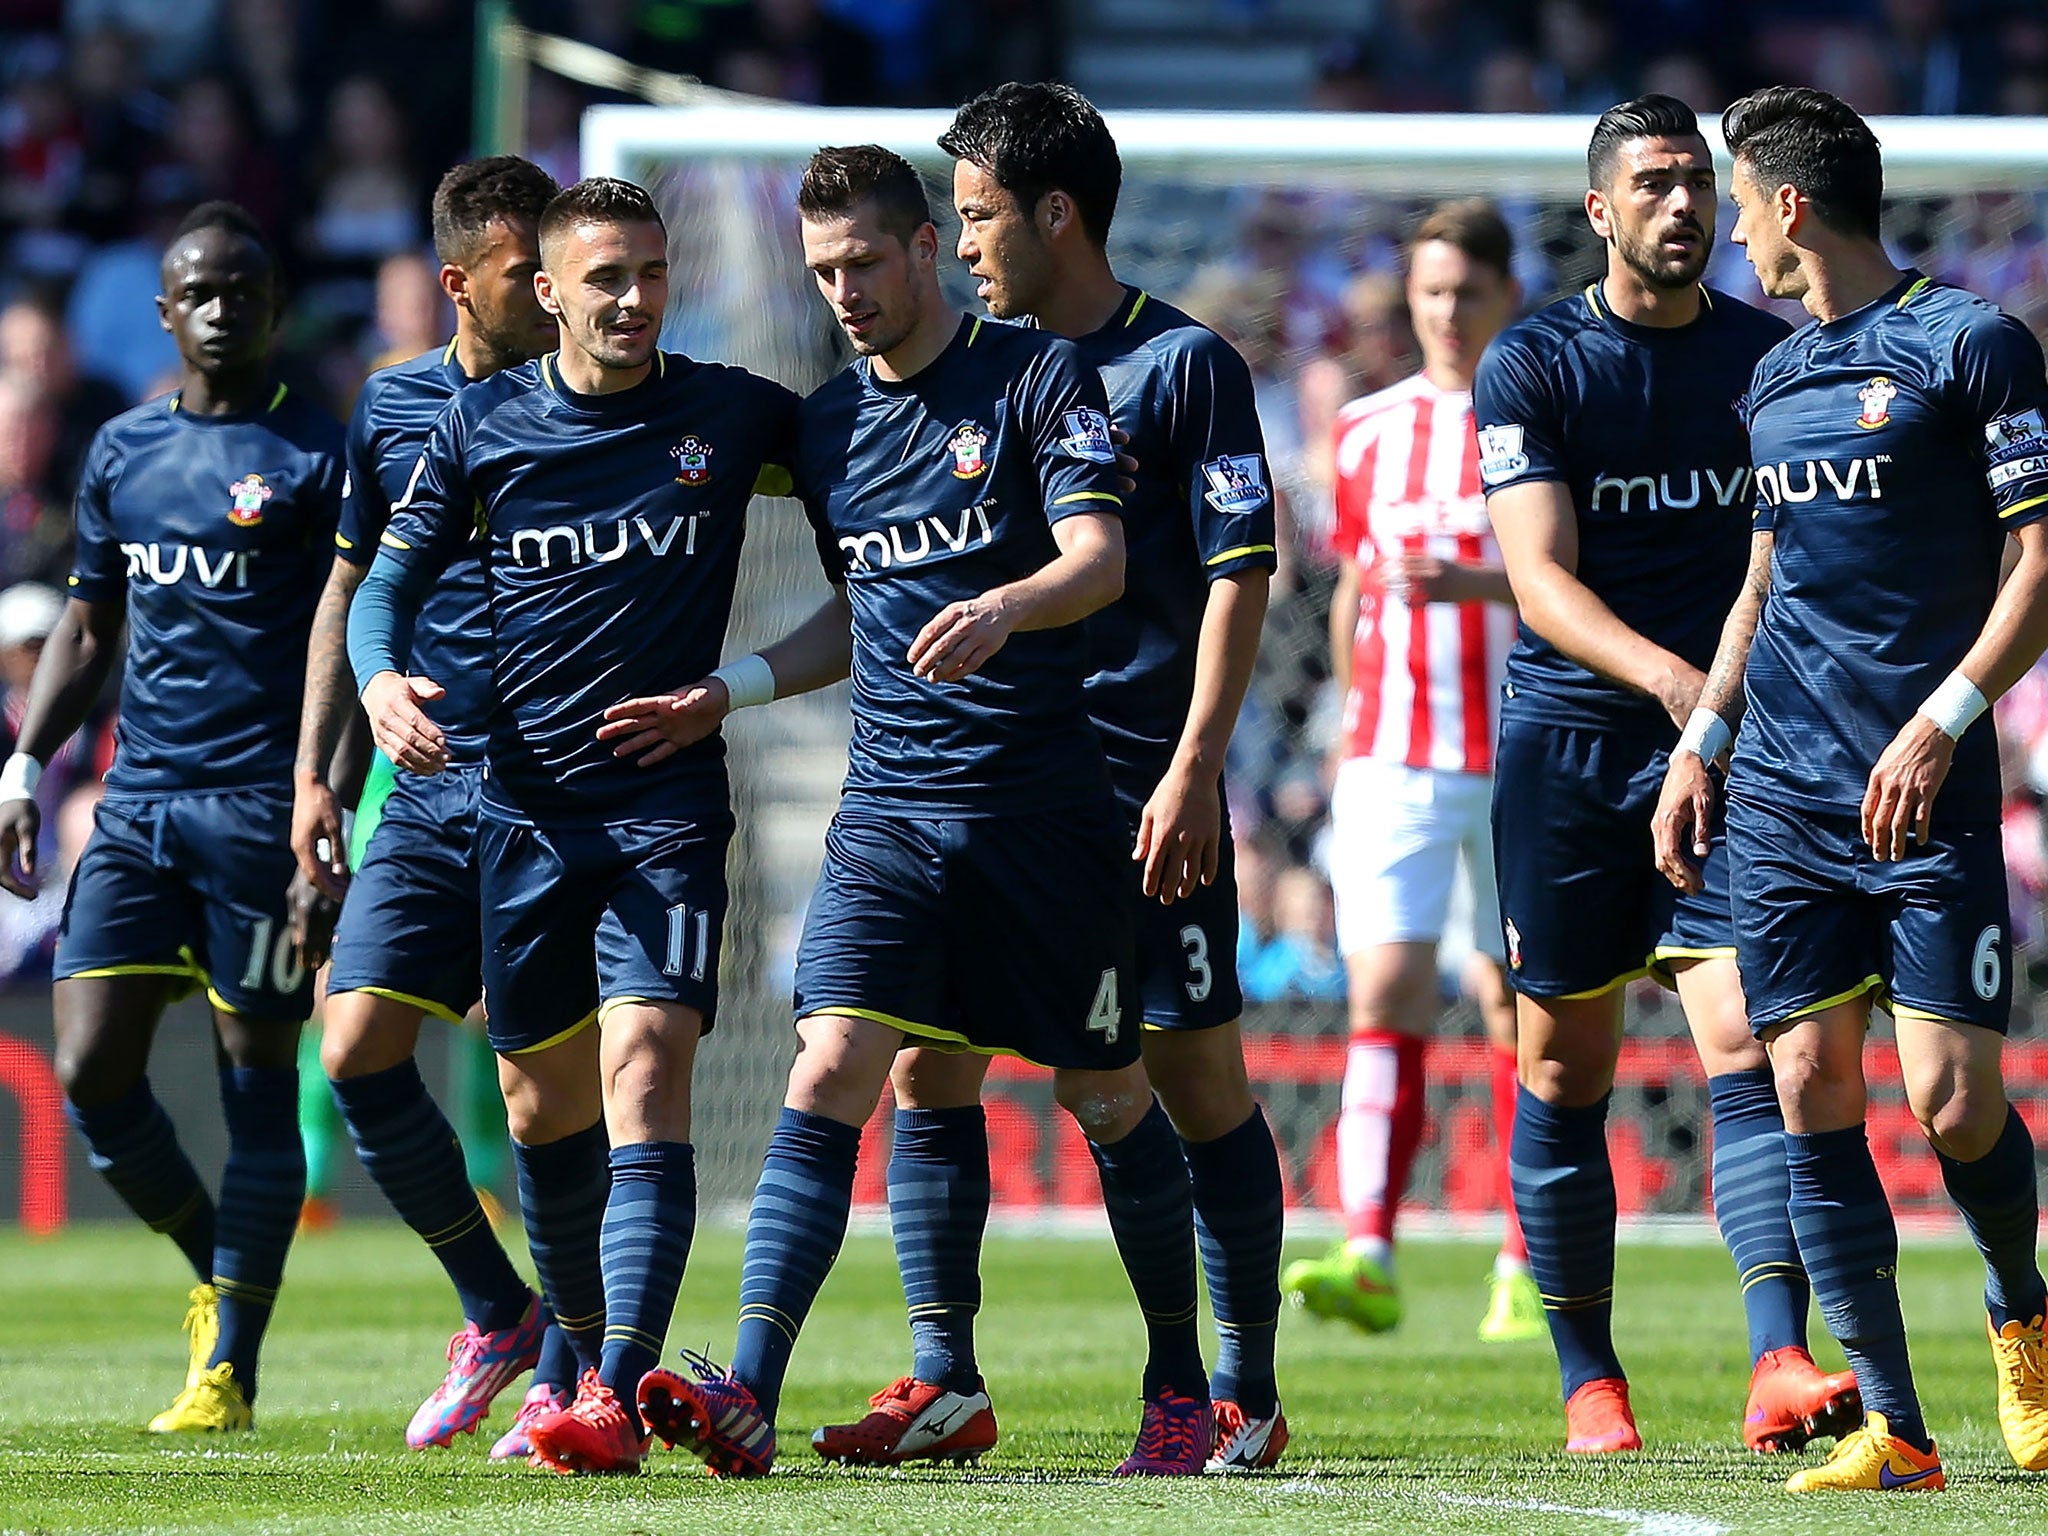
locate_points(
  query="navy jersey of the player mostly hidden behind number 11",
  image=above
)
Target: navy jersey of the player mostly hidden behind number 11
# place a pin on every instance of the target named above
(452, 640)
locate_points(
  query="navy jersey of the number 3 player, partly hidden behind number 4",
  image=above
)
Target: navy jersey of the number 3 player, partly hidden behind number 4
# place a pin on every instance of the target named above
(1203, 509)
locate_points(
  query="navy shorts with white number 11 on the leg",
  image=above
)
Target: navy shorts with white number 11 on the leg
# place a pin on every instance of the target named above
(577, 919)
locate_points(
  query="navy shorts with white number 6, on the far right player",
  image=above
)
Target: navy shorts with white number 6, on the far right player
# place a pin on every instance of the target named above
(1818, 921)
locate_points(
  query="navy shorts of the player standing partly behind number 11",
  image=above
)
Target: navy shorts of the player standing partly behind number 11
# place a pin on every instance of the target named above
(413, 923)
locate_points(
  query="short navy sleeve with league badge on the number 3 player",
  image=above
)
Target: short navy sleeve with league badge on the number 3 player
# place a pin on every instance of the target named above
(1220, 450)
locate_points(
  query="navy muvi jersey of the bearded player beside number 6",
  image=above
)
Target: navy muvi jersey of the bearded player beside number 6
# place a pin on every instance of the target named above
(1641, 425)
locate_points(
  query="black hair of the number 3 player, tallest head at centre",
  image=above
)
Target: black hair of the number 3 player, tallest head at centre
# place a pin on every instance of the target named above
(1043, 138)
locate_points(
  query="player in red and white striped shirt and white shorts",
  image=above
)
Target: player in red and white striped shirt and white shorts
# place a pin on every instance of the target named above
(1418, 636)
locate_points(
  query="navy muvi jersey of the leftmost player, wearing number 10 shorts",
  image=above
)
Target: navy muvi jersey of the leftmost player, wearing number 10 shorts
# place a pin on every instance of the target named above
(214, 531)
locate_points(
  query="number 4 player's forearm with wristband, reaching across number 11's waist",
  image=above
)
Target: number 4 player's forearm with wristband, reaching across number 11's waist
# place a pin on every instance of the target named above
(818, 654)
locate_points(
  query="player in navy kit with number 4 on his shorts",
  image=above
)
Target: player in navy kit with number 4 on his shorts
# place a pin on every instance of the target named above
(976, 888)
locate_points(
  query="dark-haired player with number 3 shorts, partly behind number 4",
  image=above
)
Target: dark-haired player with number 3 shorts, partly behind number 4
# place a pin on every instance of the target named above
(1035, 185)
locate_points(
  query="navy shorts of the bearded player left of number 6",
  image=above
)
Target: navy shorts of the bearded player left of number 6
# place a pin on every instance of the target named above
(1582, 902)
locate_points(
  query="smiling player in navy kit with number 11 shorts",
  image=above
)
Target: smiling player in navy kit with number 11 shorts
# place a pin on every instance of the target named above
(607, 488)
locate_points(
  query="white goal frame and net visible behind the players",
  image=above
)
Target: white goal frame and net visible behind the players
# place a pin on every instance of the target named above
(1285, 232)
